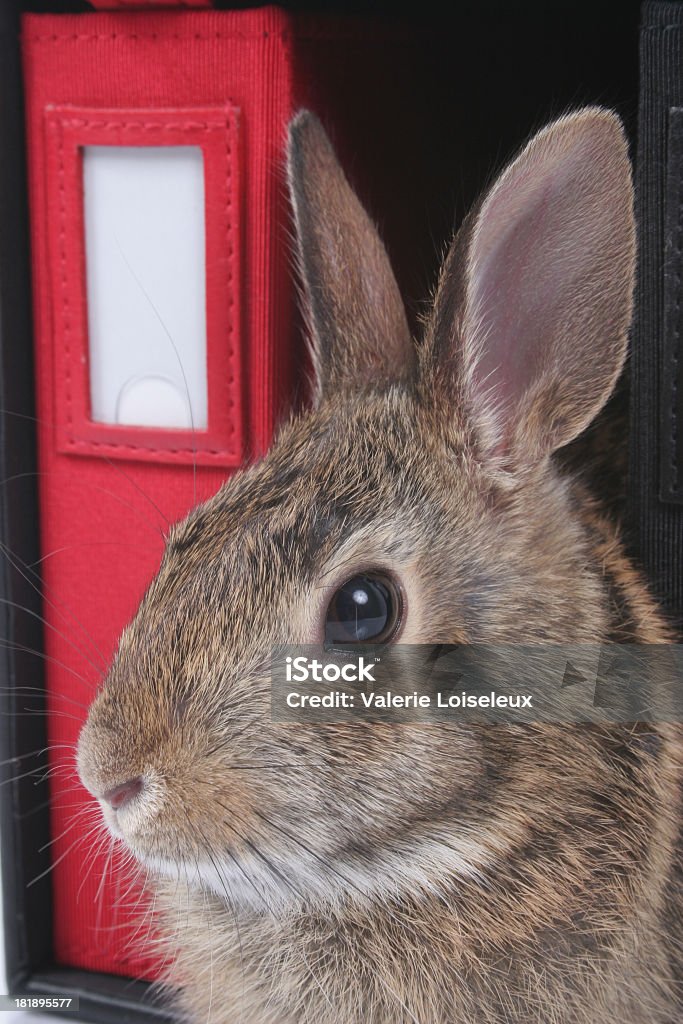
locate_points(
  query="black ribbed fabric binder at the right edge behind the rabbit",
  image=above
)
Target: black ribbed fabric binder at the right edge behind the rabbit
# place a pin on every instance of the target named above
(656, 485)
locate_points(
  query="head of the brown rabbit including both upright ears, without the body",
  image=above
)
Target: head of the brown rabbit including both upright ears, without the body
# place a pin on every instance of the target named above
(425, 473)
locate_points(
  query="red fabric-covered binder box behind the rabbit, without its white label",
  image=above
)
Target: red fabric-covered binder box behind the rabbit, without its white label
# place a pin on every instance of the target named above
(106, 494)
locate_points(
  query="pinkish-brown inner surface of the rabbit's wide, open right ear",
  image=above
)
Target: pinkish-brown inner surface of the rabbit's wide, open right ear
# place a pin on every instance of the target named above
(546, 267)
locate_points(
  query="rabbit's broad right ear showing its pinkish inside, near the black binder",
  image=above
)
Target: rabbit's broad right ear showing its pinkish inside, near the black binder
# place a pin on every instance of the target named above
(529, 330)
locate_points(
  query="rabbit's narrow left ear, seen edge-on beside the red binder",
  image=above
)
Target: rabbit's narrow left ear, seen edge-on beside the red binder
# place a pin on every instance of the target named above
(356, 315)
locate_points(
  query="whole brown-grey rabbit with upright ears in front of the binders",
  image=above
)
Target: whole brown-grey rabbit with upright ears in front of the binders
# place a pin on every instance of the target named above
(364, 872)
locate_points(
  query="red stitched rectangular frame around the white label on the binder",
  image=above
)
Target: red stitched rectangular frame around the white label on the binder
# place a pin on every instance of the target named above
(216, 132)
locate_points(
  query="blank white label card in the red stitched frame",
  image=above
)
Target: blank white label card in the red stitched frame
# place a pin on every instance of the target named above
(145, 246)
